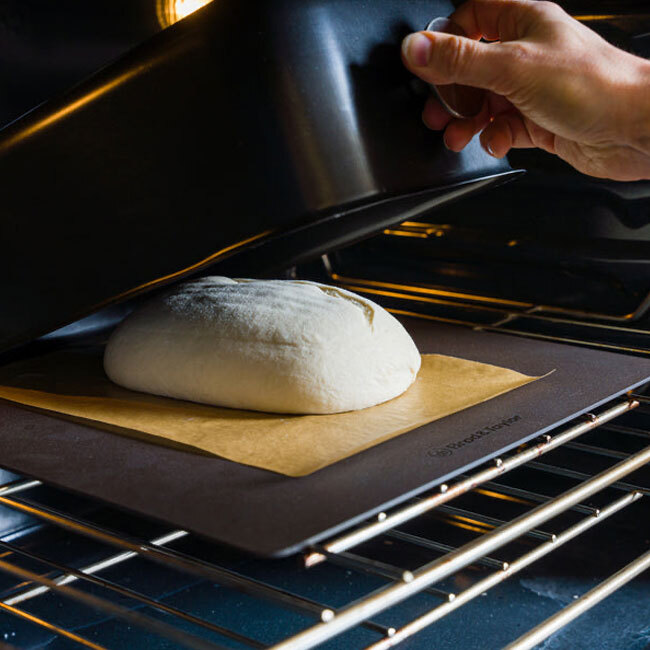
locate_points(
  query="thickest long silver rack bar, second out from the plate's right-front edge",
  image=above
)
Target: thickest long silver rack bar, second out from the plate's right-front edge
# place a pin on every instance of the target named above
(439, 569)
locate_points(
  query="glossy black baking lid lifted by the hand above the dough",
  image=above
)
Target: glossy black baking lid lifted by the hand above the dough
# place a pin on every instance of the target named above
(171, 158)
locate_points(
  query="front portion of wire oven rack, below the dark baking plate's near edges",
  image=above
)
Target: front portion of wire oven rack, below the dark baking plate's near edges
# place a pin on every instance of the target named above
(41, 574)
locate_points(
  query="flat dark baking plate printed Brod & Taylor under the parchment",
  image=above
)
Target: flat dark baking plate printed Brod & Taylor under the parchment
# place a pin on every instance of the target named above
(273, 515)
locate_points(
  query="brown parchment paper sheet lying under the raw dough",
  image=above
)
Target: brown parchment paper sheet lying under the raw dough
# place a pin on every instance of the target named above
(72, 382)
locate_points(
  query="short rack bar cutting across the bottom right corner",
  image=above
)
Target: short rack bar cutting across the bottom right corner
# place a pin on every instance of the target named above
(583, 604)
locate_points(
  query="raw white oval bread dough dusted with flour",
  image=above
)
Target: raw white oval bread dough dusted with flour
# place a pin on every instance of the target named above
(265, 345)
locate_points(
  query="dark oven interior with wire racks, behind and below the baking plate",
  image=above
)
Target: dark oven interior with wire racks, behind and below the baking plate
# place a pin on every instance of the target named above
(552, 541)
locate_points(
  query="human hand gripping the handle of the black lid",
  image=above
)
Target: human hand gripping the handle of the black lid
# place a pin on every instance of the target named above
(553, 83)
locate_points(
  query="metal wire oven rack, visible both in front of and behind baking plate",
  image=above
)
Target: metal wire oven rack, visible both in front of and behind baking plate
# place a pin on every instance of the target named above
(401, 584)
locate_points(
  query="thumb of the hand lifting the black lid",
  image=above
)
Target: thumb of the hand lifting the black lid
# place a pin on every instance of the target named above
(440, 58)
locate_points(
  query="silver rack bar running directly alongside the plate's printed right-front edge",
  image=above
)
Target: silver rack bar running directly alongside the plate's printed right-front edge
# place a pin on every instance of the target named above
(447, 493)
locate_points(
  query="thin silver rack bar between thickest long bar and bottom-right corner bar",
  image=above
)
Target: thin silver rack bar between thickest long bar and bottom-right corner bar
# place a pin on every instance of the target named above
(480, 587)
